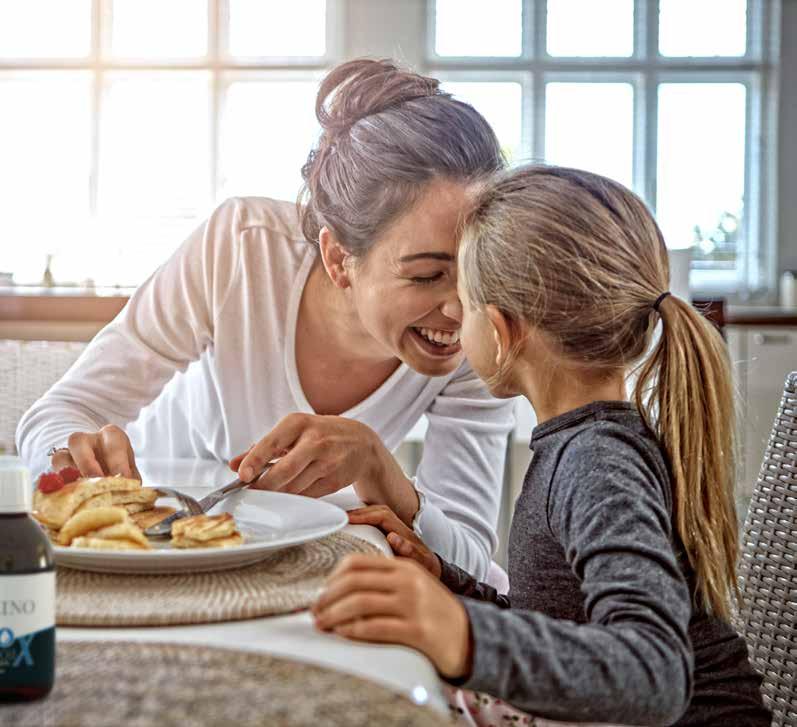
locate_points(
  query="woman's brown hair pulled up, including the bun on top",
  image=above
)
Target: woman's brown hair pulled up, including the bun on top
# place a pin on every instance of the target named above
(387, 133)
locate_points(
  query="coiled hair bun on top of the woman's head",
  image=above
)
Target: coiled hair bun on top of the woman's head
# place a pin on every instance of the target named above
(364, 87)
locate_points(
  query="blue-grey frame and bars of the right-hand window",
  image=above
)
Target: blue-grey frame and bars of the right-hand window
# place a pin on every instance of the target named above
(645, 69)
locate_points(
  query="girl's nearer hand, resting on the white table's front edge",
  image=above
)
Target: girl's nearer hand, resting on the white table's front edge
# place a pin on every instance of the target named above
(394, 600)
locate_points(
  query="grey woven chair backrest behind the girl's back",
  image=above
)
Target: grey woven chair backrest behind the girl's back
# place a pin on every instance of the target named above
(768, 566)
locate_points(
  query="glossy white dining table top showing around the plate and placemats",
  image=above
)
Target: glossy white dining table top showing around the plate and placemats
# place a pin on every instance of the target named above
(293, 636)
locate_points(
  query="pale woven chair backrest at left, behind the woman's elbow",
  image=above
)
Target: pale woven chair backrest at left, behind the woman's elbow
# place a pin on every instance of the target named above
(27, 370)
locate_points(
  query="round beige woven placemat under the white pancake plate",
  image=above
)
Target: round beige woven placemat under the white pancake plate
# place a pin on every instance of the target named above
(287, 580)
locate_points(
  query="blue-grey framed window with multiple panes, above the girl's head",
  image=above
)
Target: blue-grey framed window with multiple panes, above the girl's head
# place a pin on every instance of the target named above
(669, 97)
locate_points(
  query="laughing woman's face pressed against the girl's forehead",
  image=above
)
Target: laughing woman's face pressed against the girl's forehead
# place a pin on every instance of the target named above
(405, 288)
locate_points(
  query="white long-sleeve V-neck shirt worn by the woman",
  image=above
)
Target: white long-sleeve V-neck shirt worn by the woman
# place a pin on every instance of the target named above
(201, 363)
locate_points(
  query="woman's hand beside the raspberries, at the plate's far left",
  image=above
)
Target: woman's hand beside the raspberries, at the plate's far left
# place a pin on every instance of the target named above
(97, 454)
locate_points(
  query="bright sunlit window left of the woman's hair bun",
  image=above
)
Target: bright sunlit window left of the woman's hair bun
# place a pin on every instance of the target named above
(124, 122)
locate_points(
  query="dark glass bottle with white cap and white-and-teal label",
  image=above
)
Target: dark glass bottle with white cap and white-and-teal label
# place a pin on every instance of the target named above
(27, 594)
